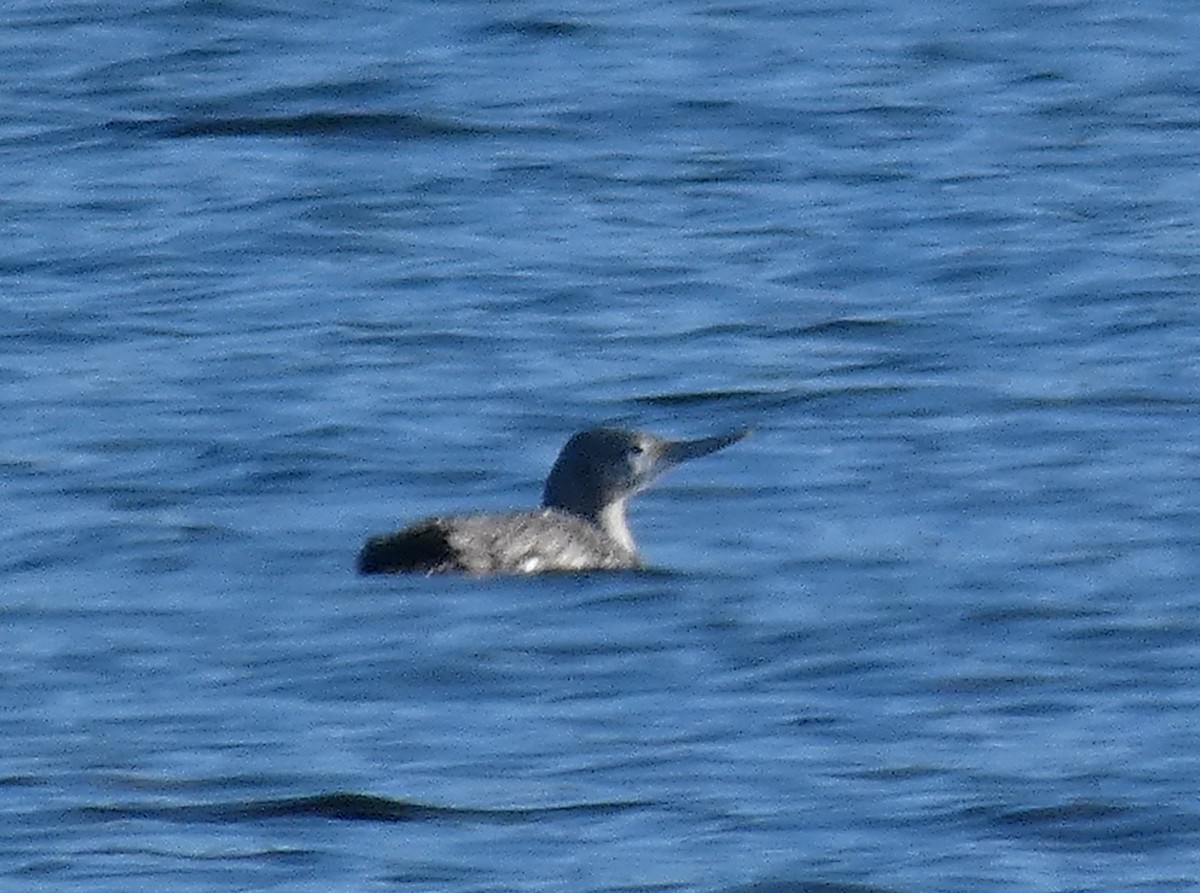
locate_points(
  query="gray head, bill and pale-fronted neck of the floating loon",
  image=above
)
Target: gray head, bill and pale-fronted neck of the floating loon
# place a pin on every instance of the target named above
(601, 469)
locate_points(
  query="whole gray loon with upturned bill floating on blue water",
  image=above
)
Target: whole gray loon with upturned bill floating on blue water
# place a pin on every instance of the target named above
(580, 528)
